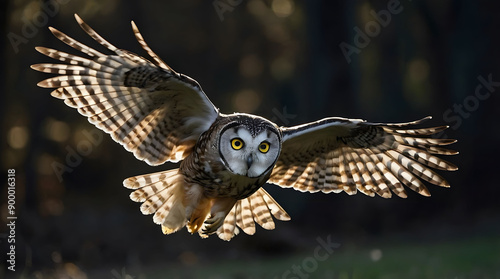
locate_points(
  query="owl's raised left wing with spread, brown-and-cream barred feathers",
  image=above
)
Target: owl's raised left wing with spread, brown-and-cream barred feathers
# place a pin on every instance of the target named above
(153, 111)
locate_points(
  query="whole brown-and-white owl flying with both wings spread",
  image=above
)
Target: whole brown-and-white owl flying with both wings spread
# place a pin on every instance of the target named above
(163, 116)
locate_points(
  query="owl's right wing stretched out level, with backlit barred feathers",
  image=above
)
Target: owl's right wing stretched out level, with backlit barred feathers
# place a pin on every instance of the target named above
(338, 154)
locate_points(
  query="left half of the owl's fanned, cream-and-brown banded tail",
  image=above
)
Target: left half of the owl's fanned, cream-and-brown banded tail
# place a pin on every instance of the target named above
(161, 193)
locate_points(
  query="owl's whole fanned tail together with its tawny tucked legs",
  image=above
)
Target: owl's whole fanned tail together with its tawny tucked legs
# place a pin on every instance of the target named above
(176, 204)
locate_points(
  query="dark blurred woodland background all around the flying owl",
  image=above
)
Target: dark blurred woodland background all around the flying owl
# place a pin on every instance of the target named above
(267, 57)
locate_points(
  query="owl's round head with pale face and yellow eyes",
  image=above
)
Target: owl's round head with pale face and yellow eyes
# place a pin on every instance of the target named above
(249, 145)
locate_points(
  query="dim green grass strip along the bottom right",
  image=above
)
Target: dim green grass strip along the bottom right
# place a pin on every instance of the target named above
(456, 259)
